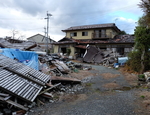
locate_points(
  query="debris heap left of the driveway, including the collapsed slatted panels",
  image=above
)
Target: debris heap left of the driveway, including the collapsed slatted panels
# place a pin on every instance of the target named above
(22, 88)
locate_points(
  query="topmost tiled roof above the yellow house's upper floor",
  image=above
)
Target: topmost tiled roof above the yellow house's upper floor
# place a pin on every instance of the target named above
(91, 27)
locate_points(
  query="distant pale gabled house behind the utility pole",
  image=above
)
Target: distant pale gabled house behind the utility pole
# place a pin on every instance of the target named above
(42, 41)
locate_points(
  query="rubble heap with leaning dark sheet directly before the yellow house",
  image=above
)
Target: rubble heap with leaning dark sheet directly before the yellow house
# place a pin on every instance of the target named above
(106, 58)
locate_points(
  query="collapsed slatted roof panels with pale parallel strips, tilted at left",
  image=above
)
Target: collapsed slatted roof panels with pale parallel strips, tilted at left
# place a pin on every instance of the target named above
(21, 80)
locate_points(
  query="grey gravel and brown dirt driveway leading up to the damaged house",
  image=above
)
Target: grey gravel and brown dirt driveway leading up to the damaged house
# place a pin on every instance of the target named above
(109, 92)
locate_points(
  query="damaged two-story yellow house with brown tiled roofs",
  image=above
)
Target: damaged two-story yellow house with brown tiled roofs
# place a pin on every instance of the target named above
(102, 36)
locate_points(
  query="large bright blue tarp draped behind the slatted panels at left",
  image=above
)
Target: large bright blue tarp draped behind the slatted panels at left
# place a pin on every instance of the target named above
(26, 57)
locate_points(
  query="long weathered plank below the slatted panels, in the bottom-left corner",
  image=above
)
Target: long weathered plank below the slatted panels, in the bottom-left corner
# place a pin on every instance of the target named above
(14, 103)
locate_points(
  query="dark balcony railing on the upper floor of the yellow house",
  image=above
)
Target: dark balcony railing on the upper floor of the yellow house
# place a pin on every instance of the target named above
(101, 36)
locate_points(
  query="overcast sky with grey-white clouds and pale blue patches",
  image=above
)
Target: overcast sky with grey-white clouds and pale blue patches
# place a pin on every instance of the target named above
(27, 16)
